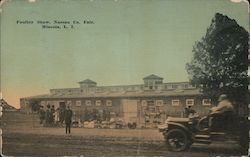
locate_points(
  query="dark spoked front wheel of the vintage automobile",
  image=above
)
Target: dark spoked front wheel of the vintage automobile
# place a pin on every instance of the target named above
(177, 140)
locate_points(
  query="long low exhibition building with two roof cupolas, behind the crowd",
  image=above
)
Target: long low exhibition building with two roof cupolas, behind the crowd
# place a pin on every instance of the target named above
(146, 104)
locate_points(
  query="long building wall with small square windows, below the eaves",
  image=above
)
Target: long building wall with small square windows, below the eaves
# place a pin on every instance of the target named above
(139, 108)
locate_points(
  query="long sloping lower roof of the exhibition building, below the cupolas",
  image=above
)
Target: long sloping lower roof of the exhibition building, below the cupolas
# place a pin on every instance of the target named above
(177, 92)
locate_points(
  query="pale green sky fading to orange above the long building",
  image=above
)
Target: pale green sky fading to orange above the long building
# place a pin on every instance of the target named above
(126, 41)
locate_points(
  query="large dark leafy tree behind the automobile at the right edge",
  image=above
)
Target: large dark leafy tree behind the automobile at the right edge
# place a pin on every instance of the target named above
(219, 64)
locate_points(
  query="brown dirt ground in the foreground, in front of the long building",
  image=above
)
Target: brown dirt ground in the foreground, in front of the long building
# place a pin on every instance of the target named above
(22, 138)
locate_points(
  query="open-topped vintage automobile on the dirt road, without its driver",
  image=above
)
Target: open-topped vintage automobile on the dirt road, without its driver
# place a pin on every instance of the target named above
(181, 133)
